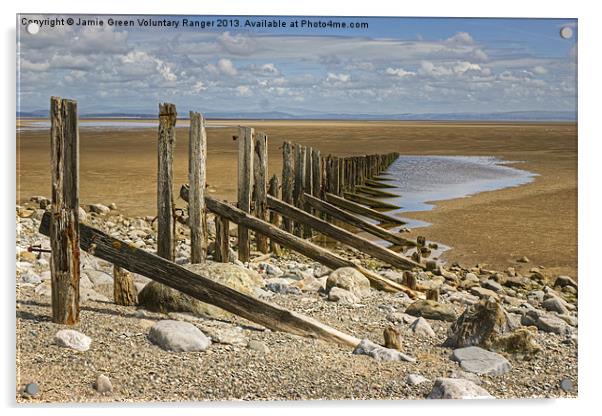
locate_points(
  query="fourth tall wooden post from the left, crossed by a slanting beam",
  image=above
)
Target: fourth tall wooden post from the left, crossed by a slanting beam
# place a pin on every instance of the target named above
(245, 185)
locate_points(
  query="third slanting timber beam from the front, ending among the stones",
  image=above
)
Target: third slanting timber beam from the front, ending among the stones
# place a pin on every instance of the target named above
(342, 235)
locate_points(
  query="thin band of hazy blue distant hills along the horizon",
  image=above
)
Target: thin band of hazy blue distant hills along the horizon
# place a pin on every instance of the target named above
(279, 115)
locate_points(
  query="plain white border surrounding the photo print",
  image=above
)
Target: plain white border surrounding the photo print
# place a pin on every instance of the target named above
(589, 187)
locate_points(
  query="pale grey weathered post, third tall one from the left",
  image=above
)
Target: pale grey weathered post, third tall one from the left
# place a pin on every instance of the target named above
(197, 159)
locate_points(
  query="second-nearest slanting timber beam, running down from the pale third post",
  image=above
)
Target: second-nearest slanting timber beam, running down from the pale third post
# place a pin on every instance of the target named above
(302, 246)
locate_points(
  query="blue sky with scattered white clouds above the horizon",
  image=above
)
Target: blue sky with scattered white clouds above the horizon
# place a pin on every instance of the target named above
(392, 66)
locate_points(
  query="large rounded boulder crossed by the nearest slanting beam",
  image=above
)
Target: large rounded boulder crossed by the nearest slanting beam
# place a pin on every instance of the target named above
(160, 298)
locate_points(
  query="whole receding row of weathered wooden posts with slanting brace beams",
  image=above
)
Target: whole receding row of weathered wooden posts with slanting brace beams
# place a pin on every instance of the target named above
(313, 190)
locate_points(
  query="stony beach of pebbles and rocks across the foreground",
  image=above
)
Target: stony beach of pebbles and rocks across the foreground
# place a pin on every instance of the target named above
(481, 333)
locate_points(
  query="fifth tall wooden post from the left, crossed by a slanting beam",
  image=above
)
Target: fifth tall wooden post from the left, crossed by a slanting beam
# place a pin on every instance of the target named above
(260, 165)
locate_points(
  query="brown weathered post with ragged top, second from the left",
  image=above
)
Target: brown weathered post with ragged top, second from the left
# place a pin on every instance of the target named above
(166, 226)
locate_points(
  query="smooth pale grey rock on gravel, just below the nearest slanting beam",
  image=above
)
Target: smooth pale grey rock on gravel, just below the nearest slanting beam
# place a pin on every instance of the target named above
(178, 336)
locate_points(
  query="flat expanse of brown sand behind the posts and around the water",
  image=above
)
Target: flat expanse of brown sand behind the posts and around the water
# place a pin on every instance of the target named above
(537, 220)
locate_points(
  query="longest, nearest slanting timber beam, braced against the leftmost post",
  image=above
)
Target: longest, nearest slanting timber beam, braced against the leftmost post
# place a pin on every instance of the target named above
(202, 288)
